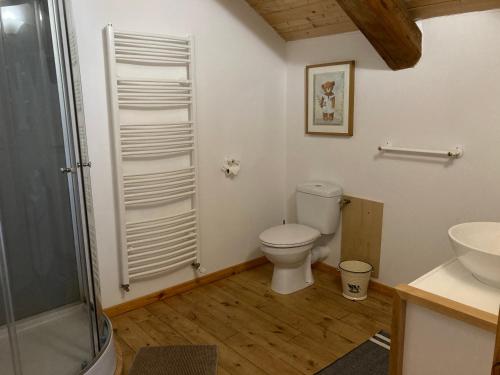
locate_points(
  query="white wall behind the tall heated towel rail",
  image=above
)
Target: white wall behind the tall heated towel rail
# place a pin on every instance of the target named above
(241, 95)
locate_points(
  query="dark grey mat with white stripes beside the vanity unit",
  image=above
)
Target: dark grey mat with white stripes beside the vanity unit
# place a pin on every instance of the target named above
(370, 358)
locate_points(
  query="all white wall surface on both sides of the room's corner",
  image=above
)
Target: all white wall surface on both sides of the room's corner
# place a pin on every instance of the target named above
(248, 77)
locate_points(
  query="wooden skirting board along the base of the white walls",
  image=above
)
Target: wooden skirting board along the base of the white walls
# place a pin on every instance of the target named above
(210, 278)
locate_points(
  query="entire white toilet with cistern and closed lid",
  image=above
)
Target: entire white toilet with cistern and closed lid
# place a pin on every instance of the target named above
(290, 246)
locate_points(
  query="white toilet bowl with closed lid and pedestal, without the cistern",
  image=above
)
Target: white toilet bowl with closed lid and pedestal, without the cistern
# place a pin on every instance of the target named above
(289, 247)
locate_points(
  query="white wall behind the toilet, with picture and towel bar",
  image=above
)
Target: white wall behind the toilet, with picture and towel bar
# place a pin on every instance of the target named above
(451, 97)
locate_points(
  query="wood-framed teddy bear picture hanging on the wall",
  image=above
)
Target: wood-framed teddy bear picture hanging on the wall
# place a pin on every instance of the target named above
(330, 98)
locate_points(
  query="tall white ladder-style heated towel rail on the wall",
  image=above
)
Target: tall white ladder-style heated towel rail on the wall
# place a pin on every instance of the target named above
(151, 89)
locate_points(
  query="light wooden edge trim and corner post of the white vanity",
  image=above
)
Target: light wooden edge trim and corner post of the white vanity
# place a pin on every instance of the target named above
(405, 294)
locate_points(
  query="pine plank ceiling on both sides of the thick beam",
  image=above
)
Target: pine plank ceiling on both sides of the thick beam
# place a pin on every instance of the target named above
(300, 19)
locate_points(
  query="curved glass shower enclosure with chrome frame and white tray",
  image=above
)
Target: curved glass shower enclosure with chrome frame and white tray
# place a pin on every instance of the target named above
(50, 315)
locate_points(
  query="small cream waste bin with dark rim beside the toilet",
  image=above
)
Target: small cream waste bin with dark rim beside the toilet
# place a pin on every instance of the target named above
(355, 278)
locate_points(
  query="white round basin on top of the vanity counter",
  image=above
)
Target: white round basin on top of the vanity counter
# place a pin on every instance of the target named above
(477, 246)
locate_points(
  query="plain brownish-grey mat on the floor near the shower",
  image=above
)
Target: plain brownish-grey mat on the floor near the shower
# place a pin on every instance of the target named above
(175, 360)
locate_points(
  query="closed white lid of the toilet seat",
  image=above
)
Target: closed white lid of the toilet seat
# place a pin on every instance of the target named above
(289, 235)
